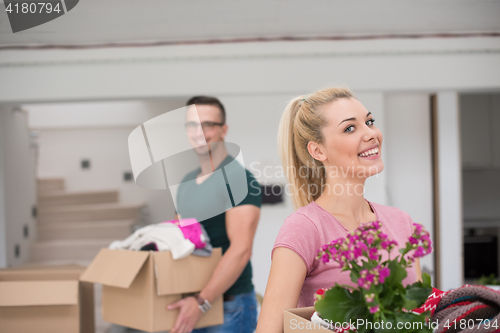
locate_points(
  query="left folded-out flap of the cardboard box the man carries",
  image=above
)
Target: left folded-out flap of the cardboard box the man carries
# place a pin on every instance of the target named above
(115, 268)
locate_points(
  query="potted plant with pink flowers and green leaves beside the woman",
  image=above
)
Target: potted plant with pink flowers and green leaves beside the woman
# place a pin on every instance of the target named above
(380, 297)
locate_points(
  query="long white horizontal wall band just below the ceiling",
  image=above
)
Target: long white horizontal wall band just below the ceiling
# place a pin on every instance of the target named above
(250, 68)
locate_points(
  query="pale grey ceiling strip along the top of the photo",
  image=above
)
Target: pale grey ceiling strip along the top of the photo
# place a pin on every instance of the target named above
(142, 21)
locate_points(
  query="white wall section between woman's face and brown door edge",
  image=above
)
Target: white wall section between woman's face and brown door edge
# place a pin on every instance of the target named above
(409, 159)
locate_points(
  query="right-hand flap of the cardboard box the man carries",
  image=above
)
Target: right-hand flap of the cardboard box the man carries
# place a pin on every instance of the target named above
(185, 275)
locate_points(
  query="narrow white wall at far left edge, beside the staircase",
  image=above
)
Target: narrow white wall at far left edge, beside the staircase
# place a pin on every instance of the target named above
(17, 157)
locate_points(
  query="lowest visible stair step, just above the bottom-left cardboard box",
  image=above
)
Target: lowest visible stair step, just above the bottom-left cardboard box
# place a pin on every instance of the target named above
(60, 250)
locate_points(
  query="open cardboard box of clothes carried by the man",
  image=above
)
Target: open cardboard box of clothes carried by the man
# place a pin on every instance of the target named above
(138, 286)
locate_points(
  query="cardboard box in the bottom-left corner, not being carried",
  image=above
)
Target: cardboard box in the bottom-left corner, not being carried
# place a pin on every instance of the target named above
(46, 299)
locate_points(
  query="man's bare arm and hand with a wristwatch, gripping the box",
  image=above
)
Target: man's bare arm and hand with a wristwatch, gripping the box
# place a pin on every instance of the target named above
(241, 224)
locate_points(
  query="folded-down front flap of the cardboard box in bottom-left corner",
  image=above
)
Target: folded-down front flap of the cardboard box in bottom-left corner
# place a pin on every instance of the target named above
(22, 293)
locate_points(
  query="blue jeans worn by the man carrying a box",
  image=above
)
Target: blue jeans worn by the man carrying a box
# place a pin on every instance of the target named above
(240, 316)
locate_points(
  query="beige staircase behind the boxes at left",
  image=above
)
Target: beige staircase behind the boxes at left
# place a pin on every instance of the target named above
(73, 226)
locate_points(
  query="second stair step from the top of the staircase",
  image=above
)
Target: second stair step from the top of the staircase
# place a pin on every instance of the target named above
(54, 198)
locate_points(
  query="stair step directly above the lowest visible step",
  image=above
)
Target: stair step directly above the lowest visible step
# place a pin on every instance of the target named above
(118, 229)
